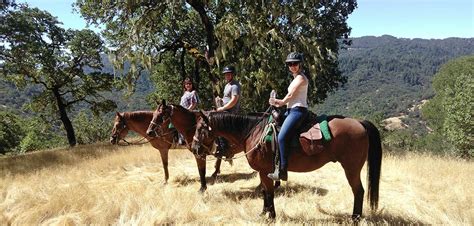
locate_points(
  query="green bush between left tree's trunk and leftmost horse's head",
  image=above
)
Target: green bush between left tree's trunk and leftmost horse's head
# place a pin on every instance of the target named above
(90, 128)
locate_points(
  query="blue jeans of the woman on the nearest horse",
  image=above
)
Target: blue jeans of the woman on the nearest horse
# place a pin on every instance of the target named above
(293, 120)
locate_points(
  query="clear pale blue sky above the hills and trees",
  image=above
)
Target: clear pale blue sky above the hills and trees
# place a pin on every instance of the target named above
(400, 18)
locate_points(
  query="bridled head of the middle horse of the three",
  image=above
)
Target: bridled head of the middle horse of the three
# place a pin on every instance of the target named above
(161, 116)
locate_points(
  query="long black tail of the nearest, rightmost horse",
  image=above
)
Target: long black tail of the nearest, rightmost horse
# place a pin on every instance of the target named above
(375, 163)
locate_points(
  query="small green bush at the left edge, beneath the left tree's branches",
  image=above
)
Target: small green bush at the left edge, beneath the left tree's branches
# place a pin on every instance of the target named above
(11, 131)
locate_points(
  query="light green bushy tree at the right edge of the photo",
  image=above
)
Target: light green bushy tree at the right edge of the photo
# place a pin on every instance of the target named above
(451, 110)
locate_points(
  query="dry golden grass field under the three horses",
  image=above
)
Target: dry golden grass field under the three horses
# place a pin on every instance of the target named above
(104, 184)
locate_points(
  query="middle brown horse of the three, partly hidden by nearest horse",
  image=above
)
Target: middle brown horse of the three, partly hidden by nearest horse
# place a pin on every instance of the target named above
(185, 122)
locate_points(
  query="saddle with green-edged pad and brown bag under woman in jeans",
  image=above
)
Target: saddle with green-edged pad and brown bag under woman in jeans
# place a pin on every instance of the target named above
(314, 134)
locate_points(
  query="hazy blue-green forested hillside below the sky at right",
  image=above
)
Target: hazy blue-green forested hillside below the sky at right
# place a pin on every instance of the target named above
(387, 75)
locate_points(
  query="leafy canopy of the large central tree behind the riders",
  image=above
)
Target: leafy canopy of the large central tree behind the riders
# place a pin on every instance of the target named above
(196, 38)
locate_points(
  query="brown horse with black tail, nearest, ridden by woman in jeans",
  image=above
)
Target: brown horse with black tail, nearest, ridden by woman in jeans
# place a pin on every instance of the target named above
(353, 142)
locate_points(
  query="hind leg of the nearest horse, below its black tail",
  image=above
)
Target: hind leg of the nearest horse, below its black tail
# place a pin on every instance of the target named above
(353, 177)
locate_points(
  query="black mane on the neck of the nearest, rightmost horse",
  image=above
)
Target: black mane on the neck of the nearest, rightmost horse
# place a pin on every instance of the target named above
(229, 122)
